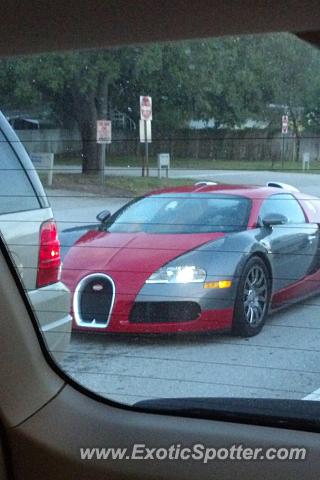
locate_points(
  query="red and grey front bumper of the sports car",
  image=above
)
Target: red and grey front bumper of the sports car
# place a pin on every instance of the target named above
(163, 308)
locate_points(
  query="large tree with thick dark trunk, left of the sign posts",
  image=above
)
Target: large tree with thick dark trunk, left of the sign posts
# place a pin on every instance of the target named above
(77, 85)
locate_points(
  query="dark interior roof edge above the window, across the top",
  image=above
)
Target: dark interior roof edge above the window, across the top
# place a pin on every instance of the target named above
(83, 24)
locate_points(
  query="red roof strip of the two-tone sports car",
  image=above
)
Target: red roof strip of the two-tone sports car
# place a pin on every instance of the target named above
(249, 191)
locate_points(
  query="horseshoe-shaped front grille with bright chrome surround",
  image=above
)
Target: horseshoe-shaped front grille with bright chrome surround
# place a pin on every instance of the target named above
(94, 298)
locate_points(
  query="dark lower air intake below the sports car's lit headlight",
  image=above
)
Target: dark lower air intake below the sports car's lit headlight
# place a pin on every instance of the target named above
(164, 312)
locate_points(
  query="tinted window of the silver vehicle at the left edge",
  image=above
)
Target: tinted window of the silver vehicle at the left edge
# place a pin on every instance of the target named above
(16, 190)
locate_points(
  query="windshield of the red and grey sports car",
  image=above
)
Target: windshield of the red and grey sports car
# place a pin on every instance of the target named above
(182, 213)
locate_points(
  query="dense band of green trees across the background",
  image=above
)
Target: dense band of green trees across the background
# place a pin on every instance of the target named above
(229, 79)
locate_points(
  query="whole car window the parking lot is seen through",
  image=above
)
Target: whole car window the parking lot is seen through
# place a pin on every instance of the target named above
(192, 153)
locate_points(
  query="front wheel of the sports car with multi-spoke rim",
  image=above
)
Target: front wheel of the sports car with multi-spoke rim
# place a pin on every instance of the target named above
(252, 299)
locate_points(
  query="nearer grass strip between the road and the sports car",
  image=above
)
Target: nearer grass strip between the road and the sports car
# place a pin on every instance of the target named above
(131, 186)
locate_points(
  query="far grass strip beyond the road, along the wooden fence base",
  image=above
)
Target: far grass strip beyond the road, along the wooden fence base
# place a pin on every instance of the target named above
(201, 164)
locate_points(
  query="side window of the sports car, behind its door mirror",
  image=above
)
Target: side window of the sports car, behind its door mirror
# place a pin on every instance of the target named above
(284, 204)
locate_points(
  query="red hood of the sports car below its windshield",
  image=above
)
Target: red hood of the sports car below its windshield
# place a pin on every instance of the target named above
(131, 252)
